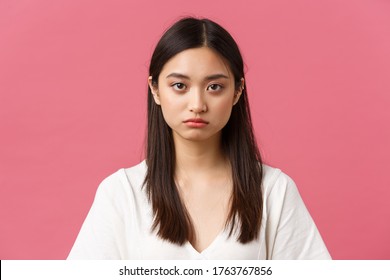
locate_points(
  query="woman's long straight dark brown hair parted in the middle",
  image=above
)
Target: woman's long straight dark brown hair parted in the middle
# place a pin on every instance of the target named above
(171, 219)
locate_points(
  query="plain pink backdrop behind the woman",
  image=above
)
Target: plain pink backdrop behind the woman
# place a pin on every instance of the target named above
(73, 107)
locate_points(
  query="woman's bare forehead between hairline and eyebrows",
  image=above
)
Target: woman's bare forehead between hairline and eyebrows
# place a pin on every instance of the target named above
(197, 62)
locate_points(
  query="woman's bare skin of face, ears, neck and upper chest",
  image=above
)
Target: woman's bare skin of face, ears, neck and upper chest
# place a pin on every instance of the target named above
(198, 84)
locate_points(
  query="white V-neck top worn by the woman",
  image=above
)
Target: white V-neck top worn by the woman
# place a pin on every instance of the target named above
(118, 225)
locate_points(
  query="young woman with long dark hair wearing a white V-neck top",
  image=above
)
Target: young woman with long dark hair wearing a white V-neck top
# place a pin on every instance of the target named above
(202, 191)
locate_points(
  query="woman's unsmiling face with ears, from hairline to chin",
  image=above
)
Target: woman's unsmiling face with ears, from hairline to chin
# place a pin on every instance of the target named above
(196, 92)
